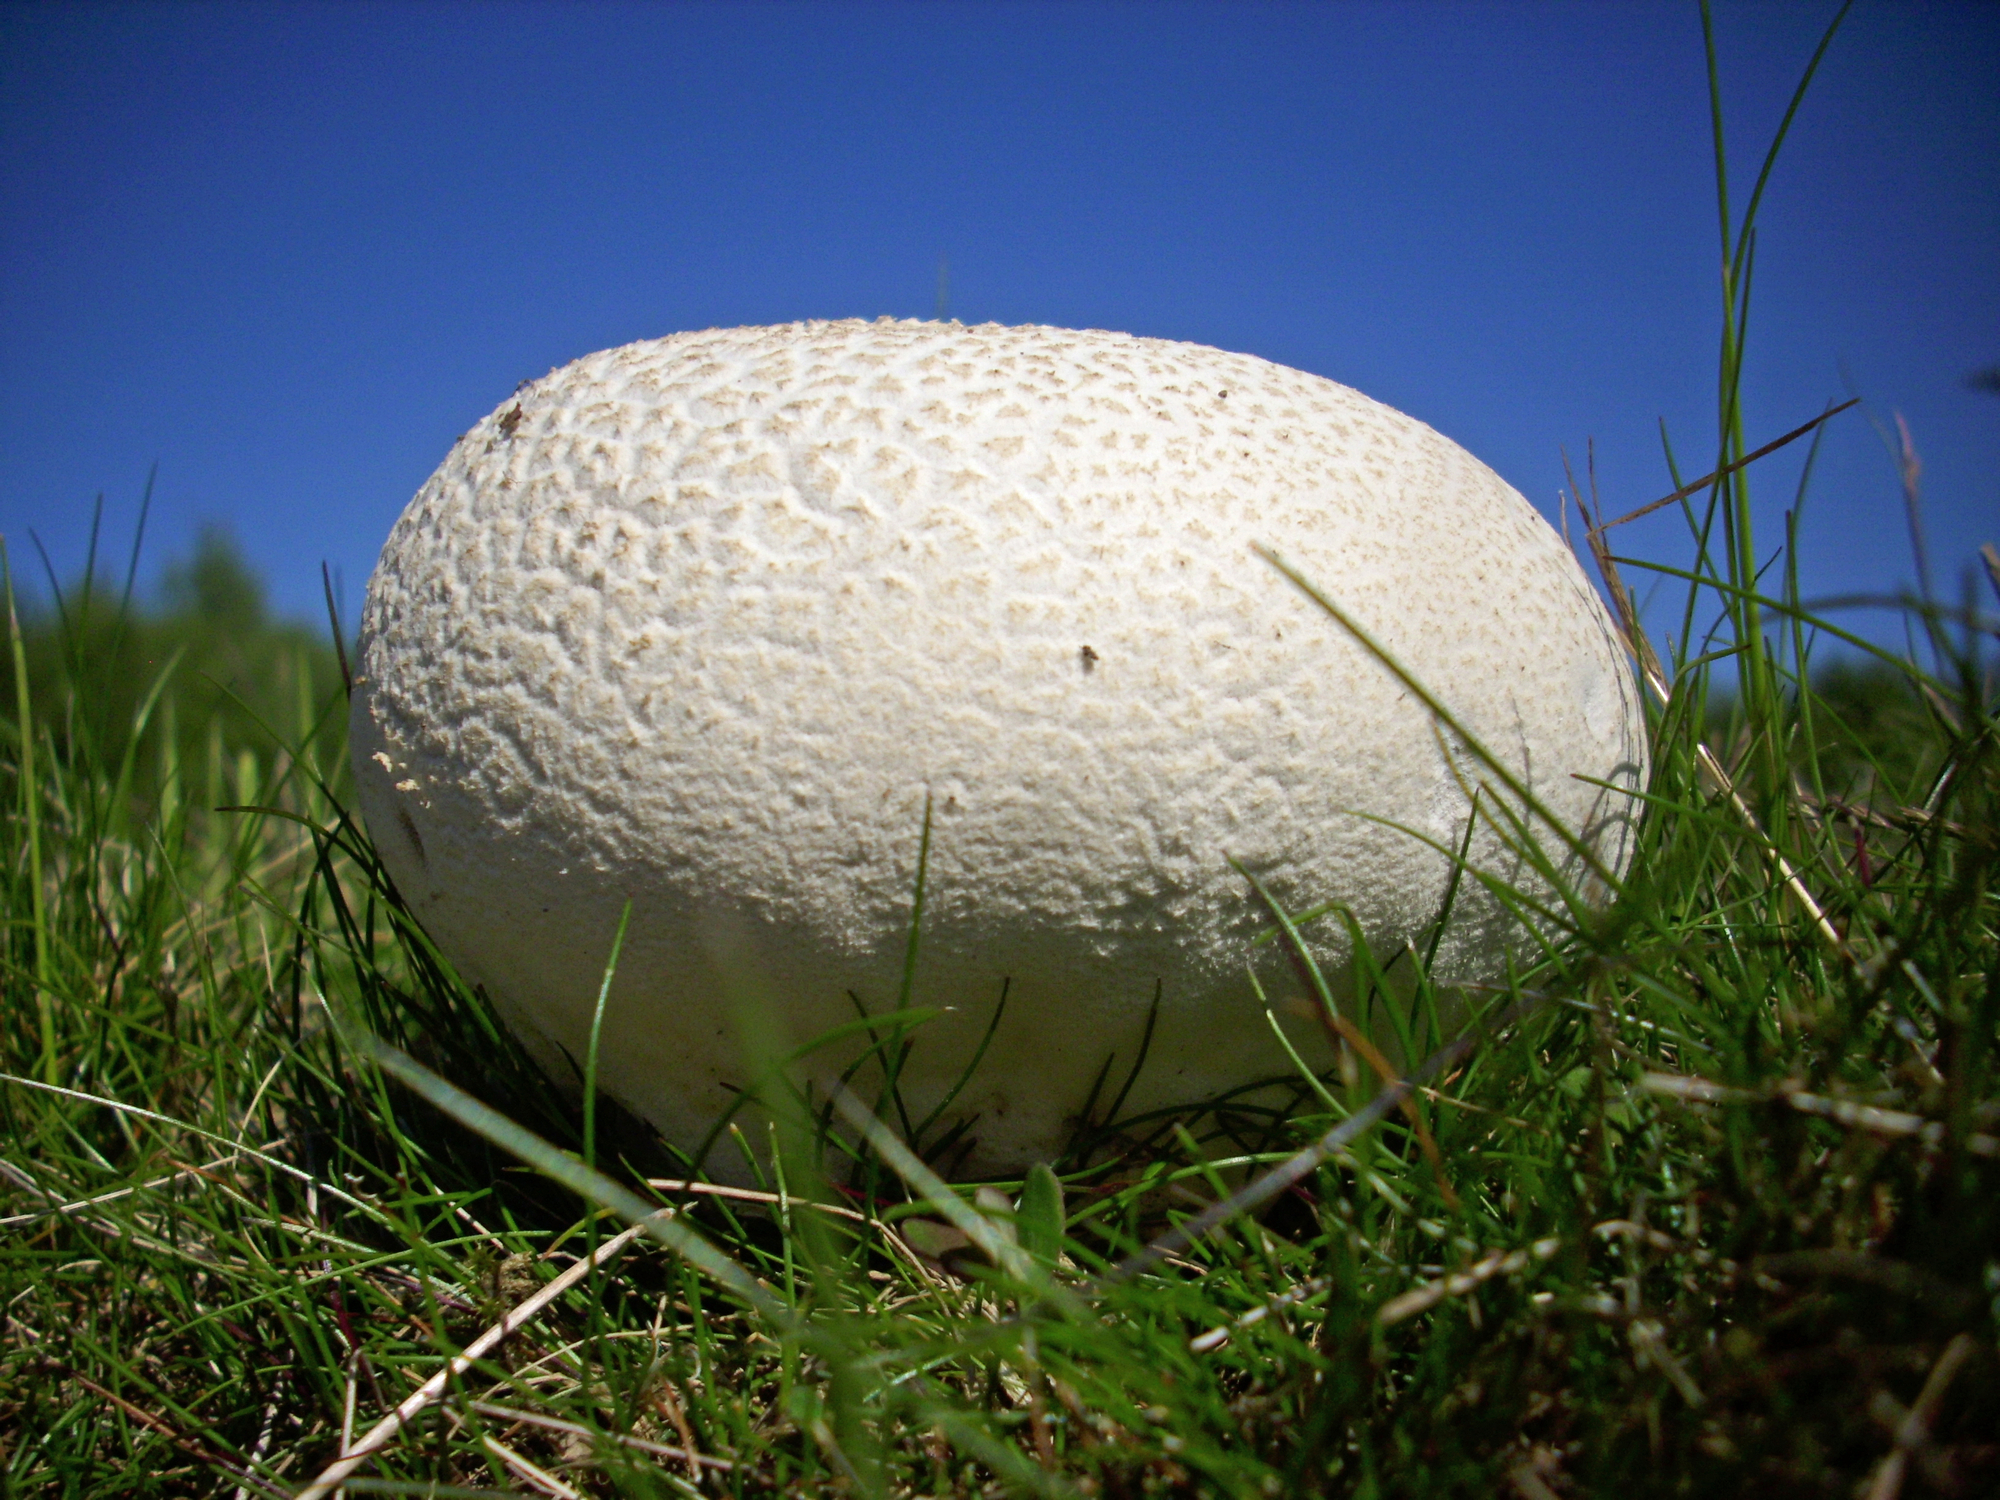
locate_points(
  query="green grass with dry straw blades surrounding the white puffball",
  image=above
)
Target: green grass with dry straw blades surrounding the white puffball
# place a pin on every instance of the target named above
(1709, 1199)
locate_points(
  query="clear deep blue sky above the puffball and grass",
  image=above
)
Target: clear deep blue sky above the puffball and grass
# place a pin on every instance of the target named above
(293, 251)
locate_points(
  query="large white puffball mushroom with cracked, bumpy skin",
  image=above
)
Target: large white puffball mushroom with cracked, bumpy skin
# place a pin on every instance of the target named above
(707, 623)
